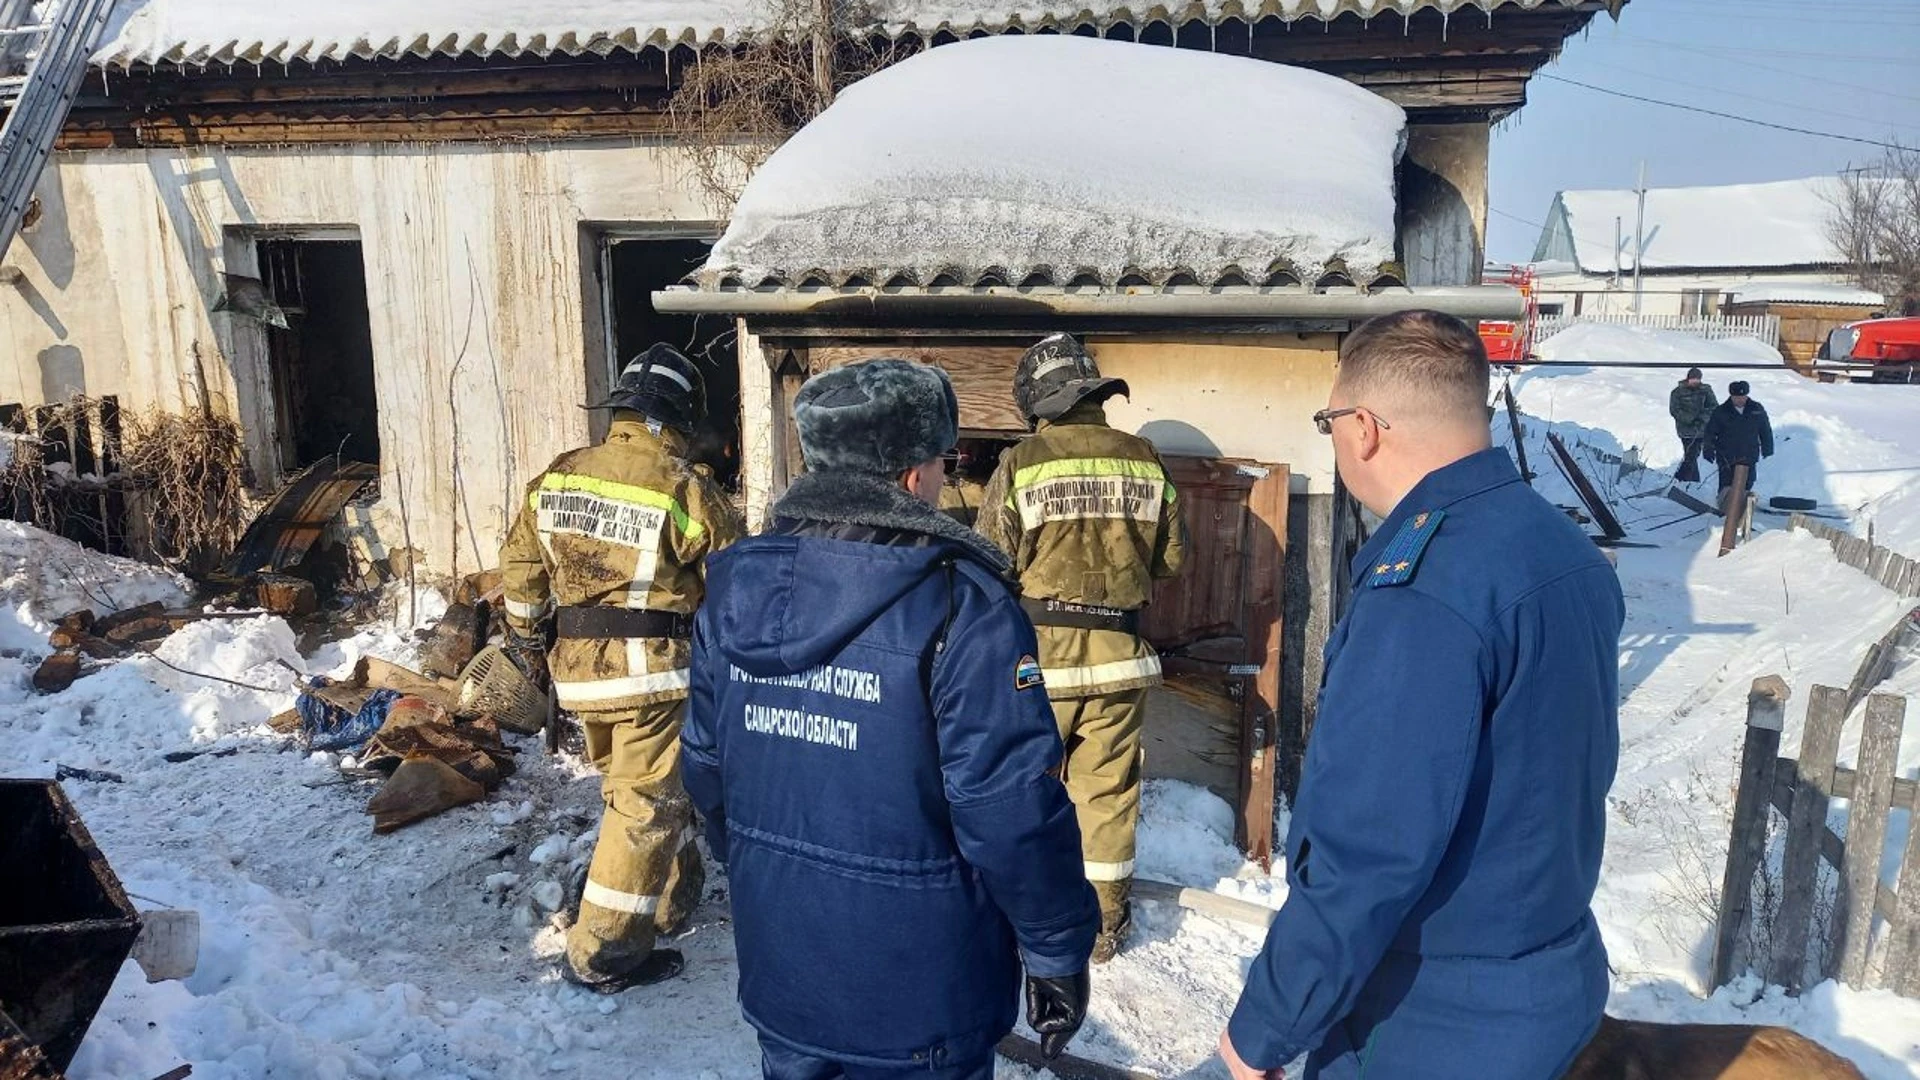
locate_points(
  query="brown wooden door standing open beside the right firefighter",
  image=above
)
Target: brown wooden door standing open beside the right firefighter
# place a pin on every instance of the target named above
(1218, 629)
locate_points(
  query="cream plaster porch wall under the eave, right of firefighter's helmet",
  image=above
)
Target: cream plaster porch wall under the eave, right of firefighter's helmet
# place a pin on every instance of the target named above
(1228, 399)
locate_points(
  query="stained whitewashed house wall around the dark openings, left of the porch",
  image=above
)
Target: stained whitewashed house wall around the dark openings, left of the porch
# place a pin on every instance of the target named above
(475, 282)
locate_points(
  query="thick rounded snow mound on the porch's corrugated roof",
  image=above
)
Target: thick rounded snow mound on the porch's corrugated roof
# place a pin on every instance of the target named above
(1065, 153)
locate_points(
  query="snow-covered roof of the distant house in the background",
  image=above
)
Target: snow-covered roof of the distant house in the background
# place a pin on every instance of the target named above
(1710, 228)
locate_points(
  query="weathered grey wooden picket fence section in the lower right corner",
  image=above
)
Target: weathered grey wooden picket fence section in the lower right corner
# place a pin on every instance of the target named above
(1798, 937)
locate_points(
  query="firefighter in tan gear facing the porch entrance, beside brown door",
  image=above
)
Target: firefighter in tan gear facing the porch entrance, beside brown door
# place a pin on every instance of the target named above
(1090, 518)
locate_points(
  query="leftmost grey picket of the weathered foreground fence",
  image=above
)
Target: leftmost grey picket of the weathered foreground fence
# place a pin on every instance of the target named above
(1767, 704)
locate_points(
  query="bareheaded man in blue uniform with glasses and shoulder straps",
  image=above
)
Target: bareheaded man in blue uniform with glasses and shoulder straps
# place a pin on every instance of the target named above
(1452, 810)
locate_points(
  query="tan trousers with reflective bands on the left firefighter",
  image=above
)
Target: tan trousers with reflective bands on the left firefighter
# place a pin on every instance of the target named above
(646, 877)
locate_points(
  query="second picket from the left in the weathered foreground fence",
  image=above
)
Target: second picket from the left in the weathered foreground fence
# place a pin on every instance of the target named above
(1800, 868)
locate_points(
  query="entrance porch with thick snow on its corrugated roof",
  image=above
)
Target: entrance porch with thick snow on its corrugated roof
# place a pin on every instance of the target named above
(963, 205)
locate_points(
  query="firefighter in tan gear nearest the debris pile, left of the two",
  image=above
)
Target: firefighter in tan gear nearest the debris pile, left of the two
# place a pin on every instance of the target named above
(615, 539)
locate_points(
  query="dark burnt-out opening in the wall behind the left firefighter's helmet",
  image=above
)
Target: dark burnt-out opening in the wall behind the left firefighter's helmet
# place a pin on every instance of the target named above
(636, 268)
